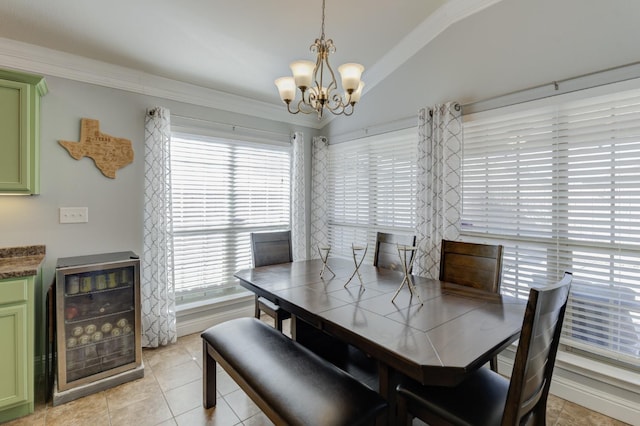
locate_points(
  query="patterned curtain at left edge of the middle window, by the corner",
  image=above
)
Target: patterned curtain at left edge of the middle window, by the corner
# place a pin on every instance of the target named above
(319, 228)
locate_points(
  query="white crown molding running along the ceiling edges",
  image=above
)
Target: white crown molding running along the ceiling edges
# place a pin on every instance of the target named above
(41, 60)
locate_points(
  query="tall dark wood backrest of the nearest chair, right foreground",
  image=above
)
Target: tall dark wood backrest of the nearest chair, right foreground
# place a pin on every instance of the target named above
(536, 354)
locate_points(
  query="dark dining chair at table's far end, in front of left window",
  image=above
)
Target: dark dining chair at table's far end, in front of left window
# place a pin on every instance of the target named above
(271, 248)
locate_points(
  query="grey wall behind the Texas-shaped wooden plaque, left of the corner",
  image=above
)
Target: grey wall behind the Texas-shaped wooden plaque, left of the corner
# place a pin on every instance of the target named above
(115, 205)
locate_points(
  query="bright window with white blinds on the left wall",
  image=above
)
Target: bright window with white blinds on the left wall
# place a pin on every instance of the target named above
(223, 190)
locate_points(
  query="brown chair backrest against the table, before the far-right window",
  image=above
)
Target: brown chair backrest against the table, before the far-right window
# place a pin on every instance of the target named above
(472, 265)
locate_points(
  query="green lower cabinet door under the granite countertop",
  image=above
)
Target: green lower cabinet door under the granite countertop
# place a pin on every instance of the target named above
(14, 355)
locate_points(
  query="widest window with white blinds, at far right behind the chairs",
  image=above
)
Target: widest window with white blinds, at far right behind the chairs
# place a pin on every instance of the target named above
(557, 183)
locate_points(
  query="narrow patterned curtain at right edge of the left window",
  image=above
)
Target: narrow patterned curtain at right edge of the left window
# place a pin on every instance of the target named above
(298, 225)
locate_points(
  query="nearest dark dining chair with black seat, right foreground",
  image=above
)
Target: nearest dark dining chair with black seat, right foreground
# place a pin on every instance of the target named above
(486, 398)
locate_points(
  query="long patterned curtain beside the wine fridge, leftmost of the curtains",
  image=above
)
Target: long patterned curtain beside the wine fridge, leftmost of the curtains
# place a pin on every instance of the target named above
(157, 287)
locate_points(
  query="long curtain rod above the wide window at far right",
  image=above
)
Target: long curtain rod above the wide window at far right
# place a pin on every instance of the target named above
(558, 87)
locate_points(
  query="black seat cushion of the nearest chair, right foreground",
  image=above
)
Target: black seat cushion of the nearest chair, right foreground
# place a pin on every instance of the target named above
(479, 400)
